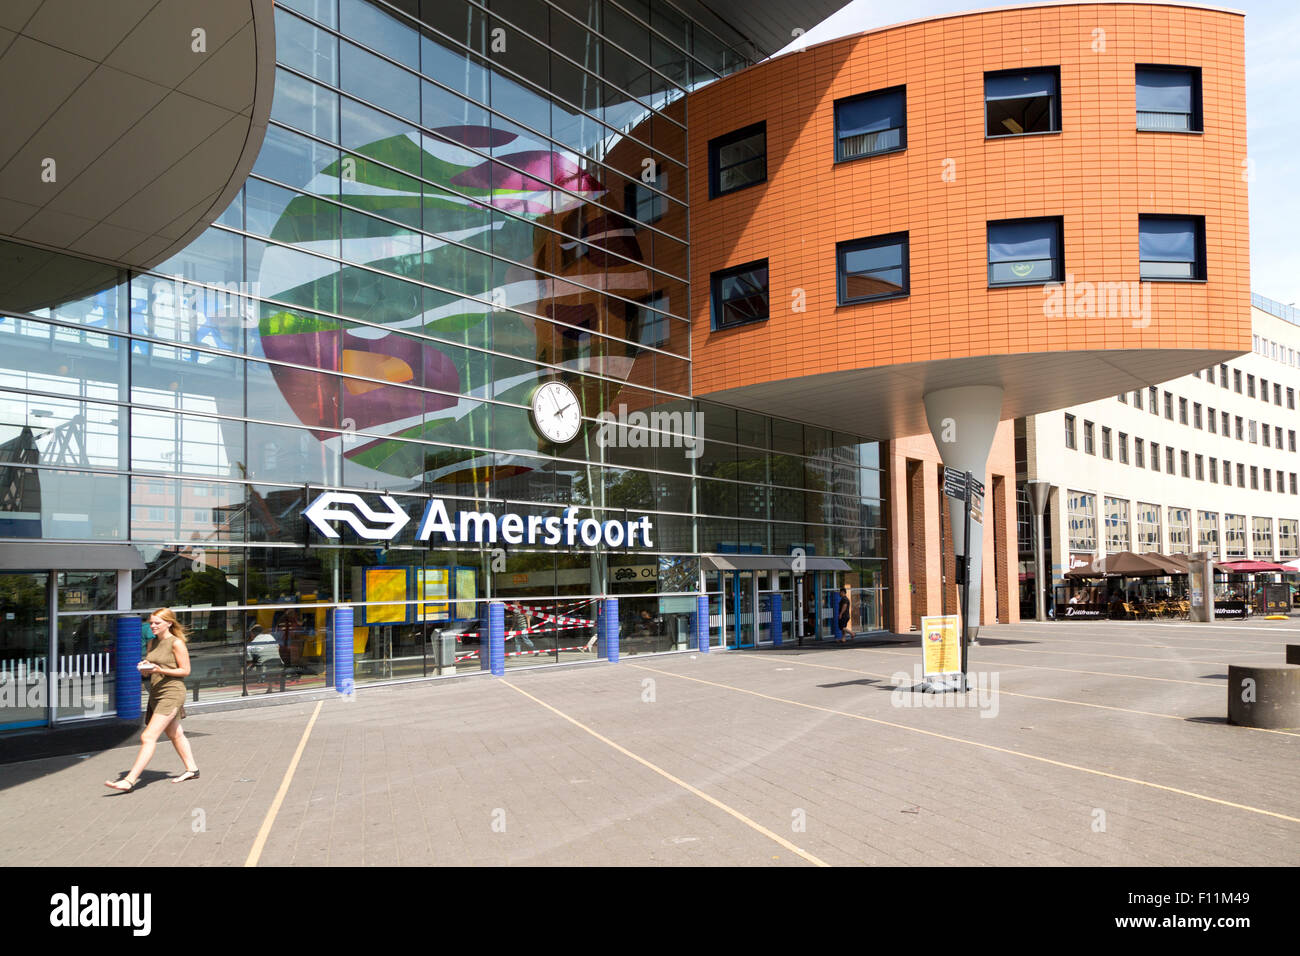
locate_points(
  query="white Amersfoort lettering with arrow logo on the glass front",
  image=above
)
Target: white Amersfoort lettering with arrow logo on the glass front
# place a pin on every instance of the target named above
(480, 527)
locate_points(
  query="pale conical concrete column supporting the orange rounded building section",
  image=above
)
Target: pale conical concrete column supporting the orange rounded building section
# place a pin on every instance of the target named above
(964, 422)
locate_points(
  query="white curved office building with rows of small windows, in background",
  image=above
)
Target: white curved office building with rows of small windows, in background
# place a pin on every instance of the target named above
(1206, 462)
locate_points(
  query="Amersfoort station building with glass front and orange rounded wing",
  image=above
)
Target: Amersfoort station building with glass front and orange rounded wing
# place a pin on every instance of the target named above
(428, 305)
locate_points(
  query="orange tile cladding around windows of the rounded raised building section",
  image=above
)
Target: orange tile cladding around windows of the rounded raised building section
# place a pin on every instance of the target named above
(1099, 174)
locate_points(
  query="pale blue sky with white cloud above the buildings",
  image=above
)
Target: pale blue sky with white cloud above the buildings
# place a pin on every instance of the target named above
(1273, 89)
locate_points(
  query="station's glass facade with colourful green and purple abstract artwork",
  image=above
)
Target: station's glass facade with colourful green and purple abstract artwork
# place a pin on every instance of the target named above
(454, 205)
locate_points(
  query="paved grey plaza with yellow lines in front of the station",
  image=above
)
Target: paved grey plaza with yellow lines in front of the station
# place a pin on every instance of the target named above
(1084, 745)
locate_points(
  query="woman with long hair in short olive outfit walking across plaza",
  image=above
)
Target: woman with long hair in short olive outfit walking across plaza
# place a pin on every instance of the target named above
(167, 664)
